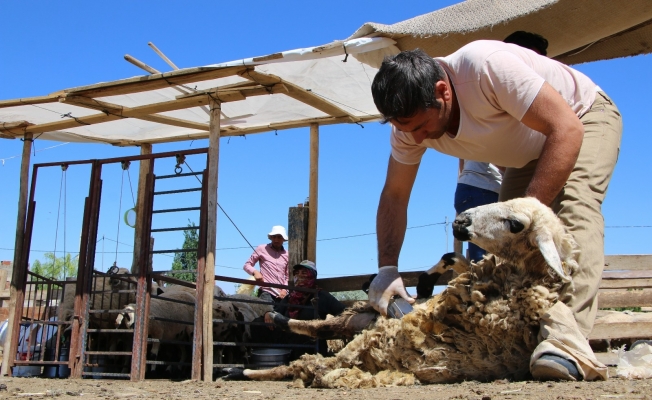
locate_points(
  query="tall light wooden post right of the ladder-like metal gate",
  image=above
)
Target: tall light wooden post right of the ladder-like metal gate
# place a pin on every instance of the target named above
(211, 237)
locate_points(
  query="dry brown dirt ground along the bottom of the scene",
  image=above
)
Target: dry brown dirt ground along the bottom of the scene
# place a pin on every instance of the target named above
(163, 389)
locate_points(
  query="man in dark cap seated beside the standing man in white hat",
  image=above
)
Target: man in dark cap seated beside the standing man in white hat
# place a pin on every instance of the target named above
(305, 275)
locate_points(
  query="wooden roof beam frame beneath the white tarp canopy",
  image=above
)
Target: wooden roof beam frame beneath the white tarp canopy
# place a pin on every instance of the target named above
(257, 83)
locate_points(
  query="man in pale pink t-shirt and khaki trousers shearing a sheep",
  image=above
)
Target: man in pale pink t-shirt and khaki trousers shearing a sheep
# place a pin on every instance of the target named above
(556, 132)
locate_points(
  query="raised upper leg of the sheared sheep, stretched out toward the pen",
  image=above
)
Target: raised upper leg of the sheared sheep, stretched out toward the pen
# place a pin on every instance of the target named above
(342, 327)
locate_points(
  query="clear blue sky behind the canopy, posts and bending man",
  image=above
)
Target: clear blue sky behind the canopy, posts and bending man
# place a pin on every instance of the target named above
(49, 46)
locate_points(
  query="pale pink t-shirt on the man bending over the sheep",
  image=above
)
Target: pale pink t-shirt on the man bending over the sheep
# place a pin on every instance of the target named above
(495, 84)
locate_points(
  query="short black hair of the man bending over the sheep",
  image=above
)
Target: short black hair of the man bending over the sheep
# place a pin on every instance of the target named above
(405, 84)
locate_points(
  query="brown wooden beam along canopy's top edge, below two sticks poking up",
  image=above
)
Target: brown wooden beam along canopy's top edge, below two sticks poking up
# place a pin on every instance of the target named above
(156, 81)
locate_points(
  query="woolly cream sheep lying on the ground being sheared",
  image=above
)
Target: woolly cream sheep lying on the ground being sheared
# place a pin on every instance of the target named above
(483, 326)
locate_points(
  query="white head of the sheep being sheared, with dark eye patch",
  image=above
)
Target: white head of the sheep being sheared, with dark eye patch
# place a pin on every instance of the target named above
(514, 230)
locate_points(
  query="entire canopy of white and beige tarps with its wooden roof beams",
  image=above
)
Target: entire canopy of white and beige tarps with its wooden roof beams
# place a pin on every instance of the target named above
(313, 85)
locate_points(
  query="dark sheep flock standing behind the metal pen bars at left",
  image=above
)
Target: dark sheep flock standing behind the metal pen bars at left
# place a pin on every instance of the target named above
(171, 320)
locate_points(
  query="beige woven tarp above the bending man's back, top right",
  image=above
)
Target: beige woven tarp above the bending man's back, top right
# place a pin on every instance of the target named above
(578, 31)
